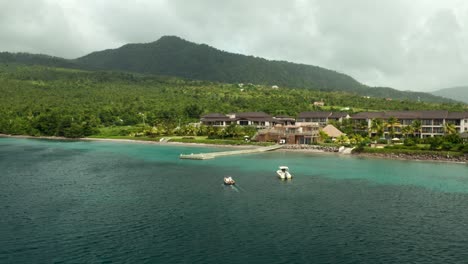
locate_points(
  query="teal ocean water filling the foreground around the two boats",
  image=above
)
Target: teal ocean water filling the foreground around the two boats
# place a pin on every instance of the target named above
(104, 202)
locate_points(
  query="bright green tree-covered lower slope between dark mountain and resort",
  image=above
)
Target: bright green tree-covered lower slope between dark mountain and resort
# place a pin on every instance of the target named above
(39, 100)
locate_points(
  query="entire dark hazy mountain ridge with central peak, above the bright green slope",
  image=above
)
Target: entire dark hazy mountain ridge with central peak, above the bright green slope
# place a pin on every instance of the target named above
(174, 56)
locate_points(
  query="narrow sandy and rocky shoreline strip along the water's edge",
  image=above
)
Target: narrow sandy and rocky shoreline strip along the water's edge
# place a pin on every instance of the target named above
(418, 158)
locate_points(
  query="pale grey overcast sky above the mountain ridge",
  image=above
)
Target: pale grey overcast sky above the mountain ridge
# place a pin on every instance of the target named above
(419, 45)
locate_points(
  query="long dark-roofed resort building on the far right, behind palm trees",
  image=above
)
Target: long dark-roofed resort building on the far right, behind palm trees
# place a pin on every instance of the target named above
(433, 122)
